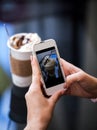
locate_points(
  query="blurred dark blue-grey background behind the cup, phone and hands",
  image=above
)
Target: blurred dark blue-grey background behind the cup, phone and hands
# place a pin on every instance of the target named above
(74, 27)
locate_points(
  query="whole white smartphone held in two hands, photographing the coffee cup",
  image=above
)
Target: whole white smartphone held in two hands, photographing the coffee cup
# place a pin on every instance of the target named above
(49, 64)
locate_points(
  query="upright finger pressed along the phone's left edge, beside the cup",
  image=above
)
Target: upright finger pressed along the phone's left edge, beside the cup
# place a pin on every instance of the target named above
(36, 76)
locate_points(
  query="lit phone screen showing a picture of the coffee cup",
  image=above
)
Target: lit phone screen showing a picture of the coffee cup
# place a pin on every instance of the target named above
(50, 67)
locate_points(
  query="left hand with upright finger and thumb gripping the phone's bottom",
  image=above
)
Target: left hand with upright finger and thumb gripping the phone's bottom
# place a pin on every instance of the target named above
(39, 108)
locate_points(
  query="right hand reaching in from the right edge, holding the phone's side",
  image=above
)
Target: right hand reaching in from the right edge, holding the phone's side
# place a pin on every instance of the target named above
(78, 82)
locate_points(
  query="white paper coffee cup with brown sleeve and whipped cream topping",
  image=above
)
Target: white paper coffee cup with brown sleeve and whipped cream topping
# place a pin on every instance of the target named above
(20, 50)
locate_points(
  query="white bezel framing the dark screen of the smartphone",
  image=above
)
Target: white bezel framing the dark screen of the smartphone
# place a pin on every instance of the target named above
(40, 46)
